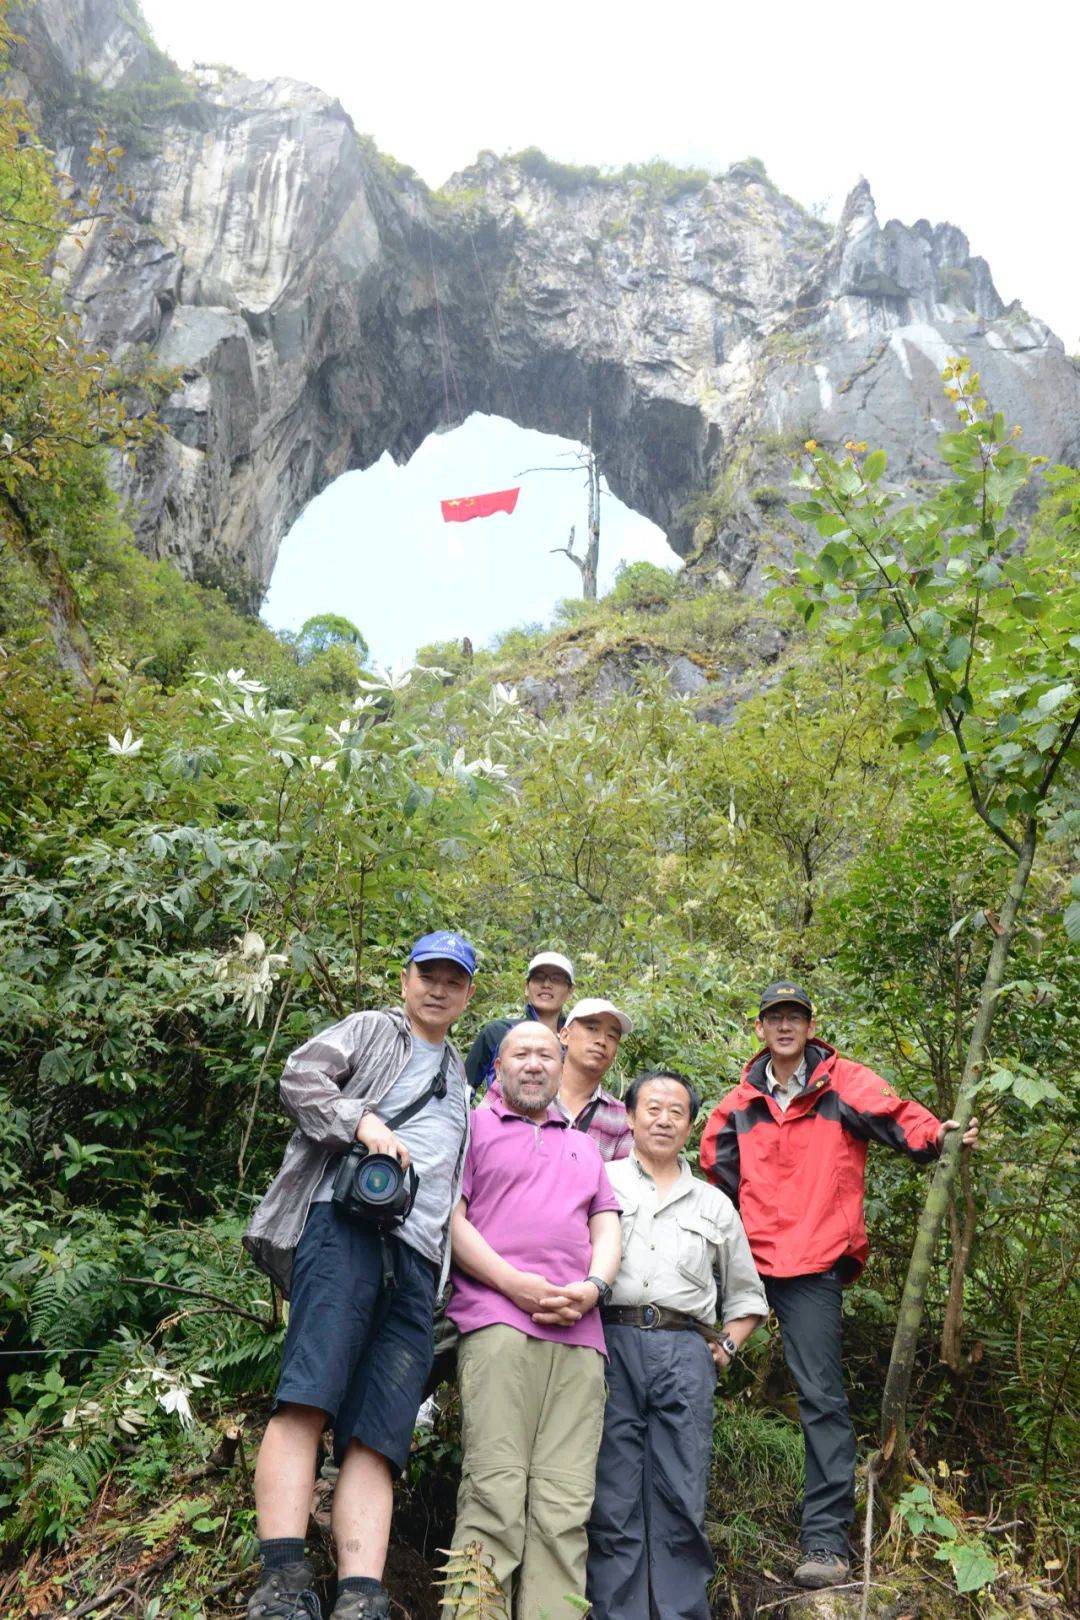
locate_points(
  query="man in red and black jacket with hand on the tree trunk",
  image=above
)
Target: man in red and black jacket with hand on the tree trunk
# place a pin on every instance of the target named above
(789, 1148)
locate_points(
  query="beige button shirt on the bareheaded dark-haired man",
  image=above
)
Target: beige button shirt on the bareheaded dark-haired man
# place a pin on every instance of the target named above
(682, 1250)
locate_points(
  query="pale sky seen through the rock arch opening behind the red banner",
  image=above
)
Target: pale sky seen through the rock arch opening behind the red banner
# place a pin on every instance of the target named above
(375, 548)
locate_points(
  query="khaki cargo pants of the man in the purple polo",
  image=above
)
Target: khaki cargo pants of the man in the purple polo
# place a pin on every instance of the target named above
(532, 1422)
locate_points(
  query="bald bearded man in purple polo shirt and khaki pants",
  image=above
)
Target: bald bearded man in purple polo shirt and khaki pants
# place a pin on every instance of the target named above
(535, 1243)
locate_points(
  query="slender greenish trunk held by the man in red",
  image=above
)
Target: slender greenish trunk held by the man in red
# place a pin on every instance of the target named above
(911, 1315)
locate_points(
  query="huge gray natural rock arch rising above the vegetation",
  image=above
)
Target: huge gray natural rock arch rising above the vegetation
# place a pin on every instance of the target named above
(321, 307)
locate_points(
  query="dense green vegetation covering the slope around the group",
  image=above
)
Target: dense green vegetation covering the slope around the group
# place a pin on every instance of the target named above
(215, 843)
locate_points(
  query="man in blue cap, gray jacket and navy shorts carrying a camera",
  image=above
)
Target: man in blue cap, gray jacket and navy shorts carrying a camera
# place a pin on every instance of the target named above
(360, 1328)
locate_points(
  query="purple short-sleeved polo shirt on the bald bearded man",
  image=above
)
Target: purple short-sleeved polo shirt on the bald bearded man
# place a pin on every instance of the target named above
(530, 1192)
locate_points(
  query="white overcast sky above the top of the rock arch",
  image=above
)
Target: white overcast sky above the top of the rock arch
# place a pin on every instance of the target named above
(963, 114)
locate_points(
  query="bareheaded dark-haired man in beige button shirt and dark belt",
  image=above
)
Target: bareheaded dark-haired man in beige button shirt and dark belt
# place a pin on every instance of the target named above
(684, 1251)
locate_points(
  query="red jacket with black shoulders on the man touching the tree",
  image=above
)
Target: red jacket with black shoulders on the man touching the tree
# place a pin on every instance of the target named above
(797, 1177)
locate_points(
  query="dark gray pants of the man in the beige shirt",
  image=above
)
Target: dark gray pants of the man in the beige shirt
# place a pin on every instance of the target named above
(648, 1551)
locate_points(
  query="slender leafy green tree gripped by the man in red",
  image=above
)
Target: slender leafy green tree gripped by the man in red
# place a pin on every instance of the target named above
(976, 641)
